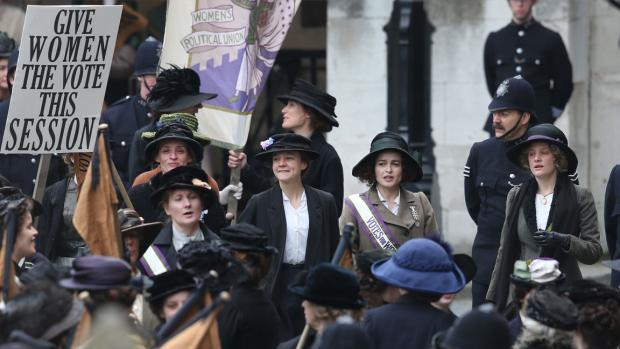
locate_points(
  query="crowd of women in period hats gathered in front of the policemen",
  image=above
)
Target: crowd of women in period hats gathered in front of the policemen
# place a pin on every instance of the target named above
(395, 293)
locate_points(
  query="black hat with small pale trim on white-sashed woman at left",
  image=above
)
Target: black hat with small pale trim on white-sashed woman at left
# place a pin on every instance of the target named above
(183, 177)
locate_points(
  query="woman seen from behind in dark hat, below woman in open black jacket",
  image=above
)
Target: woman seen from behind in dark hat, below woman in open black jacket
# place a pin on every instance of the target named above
(249, 319)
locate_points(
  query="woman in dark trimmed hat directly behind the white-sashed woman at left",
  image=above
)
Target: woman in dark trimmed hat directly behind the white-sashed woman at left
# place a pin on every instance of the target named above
(177, 142)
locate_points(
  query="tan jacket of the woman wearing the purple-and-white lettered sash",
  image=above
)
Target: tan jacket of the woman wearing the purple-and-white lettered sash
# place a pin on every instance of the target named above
(404, 226)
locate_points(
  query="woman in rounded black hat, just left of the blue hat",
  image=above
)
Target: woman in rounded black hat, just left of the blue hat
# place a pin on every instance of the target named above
(328, 292)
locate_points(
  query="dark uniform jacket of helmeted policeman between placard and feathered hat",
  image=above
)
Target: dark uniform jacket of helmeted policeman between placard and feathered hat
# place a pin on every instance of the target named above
(123, 118)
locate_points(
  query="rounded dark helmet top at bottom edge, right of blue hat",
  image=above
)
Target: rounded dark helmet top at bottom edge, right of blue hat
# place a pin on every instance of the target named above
(481, 328)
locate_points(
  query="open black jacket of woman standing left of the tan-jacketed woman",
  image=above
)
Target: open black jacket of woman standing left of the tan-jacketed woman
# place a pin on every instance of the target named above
(266, 211)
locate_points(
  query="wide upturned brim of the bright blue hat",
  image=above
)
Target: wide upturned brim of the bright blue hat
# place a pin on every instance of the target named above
(437, 282)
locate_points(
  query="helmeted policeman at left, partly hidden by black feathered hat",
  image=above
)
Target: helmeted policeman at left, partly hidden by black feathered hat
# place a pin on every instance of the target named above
(127, 115)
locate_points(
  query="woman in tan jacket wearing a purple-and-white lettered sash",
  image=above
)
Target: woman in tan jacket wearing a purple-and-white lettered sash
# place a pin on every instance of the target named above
(387, 214)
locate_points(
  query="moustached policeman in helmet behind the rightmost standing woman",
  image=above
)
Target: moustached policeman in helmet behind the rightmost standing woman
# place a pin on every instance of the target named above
(489, 175)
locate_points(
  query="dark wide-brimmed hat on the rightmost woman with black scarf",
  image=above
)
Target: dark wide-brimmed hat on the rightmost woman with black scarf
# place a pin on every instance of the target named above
(550, 134)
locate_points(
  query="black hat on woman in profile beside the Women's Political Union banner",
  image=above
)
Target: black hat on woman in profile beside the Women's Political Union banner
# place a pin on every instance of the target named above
(313, 97)
